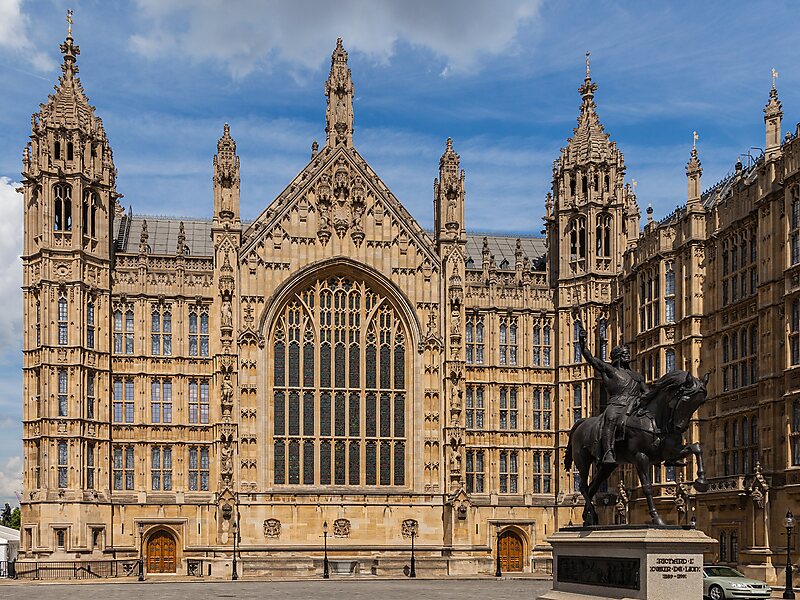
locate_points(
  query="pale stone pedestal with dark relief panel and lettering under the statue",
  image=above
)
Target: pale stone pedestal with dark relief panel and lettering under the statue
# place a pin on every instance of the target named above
(627, 561)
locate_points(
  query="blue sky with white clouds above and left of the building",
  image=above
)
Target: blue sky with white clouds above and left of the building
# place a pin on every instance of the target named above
(498, 77)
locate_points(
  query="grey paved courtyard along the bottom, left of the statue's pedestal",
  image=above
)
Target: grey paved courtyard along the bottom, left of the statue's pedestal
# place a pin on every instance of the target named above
(358, 589)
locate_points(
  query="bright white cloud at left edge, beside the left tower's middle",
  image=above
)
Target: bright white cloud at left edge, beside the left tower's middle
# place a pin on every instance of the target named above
(10, 265)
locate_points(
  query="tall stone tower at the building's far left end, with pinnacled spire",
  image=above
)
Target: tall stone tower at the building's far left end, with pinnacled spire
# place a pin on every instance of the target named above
(70, 201)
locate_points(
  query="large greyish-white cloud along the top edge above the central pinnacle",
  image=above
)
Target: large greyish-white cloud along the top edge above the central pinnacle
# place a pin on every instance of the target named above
(246, 34)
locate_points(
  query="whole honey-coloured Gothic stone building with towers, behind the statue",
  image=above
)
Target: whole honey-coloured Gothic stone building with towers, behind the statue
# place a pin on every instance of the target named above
(334, 363)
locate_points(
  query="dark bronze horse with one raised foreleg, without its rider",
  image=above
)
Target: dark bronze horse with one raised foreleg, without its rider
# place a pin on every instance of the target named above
(653, 434)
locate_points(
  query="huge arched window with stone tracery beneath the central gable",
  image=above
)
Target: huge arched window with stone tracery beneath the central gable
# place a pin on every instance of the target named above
(339, 391)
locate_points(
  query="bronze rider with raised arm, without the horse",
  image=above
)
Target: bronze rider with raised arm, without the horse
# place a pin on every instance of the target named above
(624, 388)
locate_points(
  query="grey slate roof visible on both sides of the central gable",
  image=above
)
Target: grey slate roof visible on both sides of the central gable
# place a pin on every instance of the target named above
(163, 239)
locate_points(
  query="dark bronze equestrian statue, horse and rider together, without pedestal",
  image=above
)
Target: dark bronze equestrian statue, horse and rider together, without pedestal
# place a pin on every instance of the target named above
(640, 426)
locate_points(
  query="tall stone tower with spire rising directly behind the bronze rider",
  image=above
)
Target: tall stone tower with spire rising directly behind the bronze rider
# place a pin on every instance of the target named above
(591, 218)
